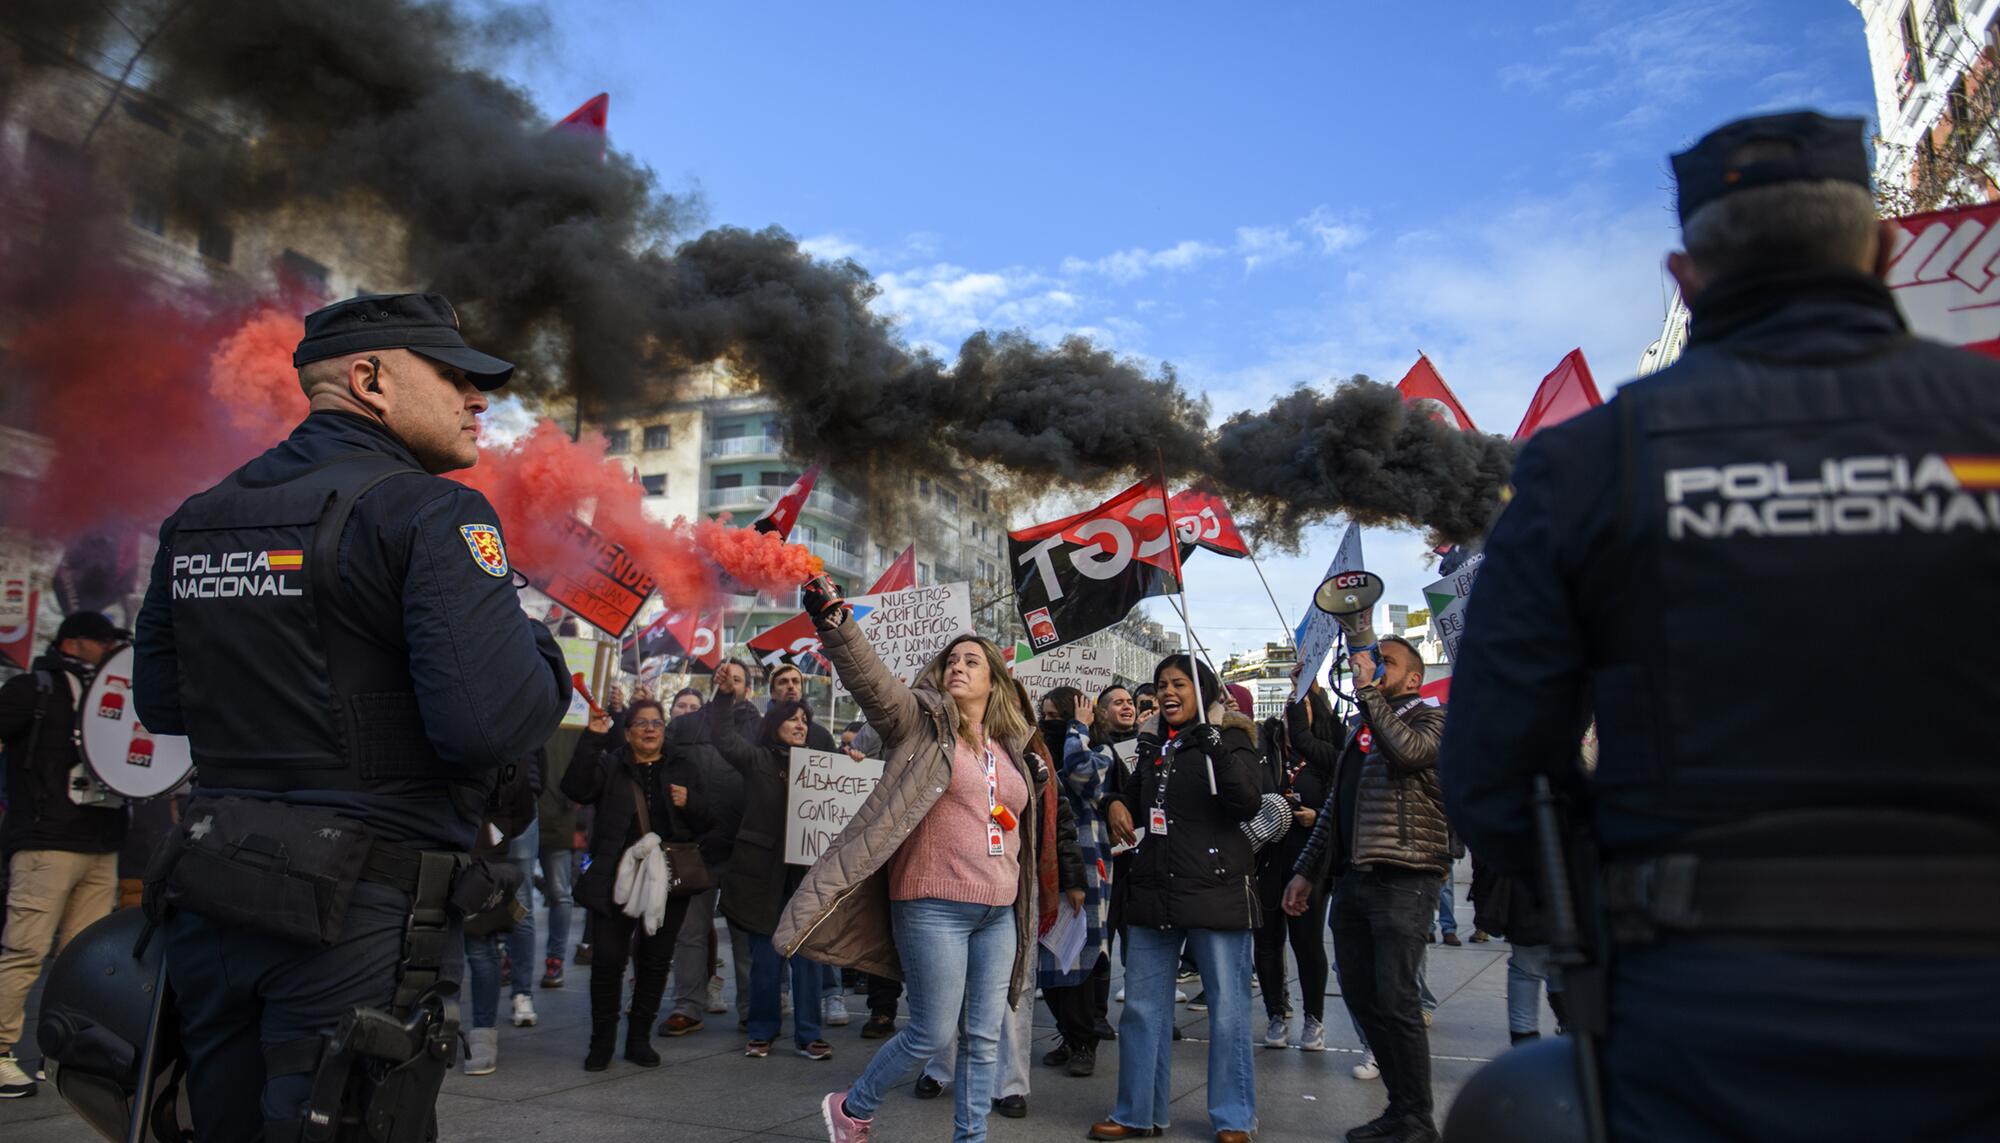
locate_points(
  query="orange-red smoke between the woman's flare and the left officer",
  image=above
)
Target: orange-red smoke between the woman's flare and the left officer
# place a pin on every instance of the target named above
(547, 479)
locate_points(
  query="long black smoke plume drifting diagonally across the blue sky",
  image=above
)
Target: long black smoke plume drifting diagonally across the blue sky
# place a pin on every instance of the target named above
(567, 263)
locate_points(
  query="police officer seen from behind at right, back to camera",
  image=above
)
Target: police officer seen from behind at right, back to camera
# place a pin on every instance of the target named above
(1795, 794)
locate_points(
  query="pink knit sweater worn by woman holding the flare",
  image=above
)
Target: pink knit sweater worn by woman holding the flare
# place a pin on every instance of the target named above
(947, 854)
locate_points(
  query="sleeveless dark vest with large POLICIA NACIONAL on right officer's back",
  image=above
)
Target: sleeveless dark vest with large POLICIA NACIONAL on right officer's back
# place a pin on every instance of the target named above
(1809, 553)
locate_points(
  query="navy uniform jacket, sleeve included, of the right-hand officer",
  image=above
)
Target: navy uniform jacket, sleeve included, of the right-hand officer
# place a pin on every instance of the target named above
(1715, 565)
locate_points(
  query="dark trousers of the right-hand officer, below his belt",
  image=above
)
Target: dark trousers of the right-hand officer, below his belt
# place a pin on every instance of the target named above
(1713, 1042)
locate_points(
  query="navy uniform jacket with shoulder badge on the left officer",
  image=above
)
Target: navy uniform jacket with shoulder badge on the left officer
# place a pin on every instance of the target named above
(231, 654)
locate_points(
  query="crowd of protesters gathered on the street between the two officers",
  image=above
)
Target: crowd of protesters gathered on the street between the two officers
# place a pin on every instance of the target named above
(1189, 840)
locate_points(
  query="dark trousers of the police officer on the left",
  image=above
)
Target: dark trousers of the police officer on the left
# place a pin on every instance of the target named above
(243, 992)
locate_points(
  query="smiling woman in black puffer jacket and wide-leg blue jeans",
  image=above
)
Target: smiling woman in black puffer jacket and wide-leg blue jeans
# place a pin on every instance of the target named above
(1191, 886)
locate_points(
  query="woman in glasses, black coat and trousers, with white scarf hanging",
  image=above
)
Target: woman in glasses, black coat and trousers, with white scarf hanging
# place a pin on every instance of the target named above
(623, 780)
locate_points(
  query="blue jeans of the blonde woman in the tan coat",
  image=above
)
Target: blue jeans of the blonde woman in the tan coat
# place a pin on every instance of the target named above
(957, 958)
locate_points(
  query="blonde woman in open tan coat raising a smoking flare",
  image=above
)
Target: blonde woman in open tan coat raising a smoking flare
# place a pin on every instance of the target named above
(937, 848)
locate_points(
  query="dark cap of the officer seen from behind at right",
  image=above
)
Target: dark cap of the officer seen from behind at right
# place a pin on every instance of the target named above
(1813, 147)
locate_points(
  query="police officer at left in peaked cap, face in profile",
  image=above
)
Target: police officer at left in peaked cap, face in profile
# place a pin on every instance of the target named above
(337, 630)
